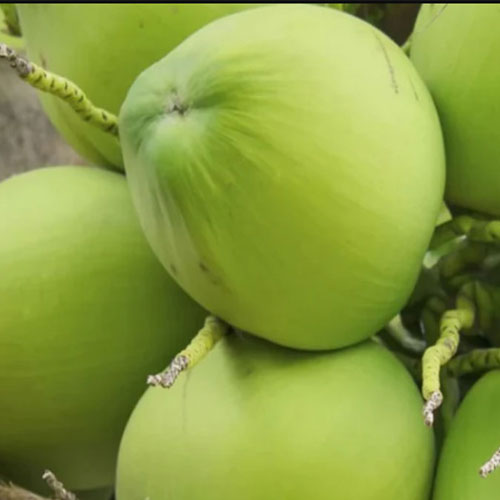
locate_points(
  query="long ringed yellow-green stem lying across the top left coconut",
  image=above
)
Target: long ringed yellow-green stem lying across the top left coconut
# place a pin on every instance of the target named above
(60, 87)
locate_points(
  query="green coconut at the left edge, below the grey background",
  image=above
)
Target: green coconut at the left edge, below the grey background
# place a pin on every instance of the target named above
(86, 313)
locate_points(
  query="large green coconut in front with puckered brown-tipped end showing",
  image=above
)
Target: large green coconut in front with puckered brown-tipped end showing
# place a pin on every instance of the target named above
(288, 185)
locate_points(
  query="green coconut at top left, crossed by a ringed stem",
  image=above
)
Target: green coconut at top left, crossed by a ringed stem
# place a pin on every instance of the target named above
(102, 48)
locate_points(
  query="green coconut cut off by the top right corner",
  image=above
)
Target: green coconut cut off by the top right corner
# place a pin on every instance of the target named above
(455, 49)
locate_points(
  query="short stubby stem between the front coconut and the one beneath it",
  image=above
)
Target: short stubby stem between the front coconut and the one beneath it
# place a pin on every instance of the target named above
(213, 330)
